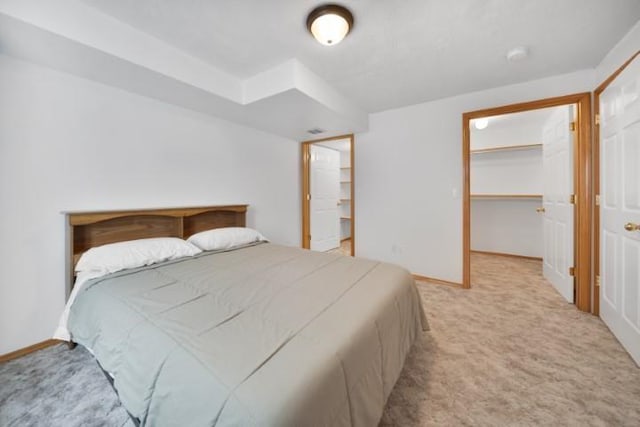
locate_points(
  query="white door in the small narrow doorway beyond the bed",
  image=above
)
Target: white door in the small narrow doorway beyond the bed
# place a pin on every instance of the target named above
(325, 197)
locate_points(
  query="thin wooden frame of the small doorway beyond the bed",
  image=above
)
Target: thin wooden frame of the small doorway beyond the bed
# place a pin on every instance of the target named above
(306, 190)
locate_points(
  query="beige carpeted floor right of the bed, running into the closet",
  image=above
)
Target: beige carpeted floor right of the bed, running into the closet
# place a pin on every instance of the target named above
(510, 352)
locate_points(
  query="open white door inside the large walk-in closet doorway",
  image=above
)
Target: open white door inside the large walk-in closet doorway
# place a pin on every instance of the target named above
(557, 158)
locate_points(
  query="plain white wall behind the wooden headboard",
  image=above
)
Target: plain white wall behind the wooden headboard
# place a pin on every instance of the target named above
(71, 144)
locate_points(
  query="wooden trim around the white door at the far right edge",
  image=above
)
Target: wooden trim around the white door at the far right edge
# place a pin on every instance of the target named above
(596, 177)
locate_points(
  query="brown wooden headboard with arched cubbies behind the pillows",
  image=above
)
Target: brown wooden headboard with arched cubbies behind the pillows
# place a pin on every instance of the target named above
(86, 230)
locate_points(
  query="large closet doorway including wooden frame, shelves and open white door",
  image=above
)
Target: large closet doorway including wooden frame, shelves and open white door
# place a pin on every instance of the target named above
(525, 175)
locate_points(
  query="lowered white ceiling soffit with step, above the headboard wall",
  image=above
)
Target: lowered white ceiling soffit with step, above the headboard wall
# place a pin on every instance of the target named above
(67, 35)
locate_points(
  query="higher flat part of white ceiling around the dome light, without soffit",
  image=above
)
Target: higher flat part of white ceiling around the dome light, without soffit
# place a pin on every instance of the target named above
(400, 52)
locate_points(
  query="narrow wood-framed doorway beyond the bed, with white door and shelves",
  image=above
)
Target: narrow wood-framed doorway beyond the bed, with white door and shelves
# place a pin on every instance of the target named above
(328, 211)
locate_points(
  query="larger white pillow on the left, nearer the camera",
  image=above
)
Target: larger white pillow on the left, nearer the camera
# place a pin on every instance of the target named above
(134, 253)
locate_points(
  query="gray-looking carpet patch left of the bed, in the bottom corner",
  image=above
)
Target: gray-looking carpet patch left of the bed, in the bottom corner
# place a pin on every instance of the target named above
(58, 387)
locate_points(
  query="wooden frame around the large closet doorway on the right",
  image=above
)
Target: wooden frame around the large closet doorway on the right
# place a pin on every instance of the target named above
(583, 187)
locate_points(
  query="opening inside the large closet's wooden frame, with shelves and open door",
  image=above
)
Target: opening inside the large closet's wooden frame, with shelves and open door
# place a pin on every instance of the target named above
(521, 170)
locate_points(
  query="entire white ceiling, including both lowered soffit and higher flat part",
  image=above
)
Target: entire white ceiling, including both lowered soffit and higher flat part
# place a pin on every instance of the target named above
(252, 62)
